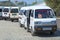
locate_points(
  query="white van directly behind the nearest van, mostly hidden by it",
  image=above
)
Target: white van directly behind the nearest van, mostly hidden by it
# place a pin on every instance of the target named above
(22, 16)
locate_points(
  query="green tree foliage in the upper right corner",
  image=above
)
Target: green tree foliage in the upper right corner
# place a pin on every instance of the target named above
(55, 4)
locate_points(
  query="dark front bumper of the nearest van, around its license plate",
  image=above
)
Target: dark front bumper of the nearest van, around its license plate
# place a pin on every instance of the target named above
(40, 28)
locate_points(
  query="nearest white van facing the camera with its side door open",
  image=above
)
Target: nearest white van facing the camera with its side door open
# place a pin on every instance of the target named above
(40, 19)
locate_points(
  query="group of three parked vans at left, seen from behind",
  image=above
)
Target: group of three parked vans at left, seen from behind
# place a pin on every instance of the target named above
(9, 13)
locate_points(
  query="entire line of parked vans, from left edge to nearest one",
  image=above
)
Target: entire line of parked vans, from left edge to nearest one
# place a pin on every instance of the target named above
(34, 19)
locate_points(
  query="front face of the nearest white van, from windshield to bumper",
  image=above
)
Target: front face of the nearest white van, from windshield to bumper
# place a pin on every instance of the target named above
(44, 20)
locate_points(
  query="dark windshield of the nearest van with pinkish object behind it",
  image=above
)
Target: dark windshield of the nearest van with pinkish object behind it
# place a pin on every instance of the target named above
(44, 13)
